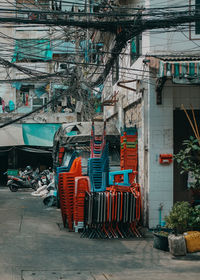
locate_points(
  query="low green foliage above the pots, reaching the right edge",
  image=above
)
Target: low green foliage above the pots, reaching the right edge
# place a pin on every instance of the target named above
(183, 217)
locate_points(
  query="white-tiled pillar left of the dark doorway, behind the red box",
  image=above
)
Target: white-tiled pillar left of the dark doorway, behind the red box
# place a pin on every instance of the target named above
(160, 142)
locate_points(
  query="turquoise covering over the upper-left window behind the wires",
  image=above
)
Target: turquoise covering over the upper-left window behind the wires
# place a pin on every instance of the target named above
(32, 50)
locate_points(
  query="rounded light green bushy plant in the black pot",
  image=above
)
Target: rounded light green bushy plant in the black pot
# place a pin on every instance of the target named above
(179, 217)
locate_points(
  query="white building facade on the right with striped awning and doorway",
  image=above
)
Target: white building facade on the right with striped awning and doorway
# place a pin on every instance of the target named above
(158, 71)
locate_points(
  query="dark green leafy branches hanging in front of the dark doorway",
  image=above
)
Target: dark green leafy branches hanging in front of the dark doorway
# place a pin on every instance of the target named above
(189, 159)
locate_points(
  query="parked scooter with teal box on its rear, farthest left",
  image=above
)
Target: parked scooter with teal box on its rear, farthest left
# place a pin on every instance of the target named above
(27, 179)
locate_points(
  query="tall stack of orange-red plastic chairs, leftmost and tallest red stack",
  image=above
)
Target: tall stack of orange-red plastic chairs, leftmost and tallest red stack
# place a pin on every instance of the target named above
(66, 187)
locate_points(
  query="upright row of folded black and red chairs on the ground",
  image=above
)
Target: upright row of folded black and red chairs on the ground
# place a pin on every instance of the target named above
(112, 214)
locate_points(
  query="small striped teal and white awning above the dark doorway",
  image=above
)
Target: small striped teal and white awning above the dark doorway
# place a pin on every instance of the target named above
(177, 66)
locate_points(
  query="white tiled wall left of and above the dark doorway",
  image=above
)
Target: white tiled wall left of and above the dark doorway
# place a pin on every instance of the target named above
(160, 135)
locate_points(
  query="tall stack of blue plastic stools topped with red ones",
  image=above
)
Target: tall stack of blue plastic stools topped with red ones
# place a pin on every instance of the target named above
(98, 163)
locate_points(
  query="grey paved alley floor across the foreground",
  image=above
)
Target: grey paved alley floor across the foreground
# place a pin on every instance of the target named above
(34, 247)
